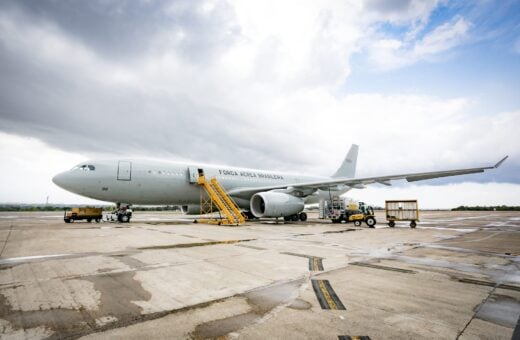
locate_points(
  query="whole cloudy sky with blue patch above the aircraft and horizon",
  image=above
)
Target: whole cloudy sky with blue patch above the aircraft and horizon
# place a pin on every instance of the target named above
(288, 85)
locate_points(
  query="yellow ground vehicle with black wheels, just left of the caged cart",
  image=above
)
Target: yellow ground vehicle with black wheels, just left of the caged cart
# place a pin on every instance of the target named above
(340, 210)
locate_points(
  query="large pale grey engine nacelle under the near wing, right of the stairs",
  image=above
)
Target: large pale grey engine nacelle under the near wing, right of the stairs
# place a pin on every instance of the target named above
(275, 204)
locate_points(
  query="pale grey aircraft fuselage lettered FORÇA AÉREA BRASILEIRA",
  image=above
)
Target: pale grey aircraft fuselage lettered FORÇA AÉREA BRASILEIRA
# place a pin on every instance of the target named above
(148, 182)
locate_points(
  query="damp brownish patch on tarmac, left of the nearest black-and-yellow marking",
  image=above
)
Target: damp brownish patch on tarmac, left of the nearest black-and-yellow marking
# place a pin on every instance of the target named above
(261, 301)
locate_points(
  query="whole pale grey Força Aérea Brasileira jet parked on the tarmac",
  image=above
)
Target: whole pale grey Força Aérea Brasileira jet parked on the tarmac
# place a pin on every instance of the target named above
(258, 192)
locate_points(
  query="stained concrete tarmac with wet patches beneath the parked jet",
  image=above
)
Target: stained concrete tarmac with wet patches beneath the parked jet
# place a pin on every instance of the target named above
(456, 276)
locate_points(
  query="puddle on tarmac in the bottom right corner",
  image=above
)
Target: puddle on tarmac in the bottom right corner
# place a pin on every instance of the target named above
(501, 310)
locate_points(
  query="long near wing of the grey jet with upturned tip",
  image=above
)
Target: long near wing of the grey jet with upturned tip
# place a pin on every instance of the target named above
(309, 187)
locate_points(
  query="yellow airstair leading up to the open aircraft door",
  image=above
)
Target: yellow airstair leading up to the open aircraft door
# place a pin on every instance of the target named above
(217, 197)
